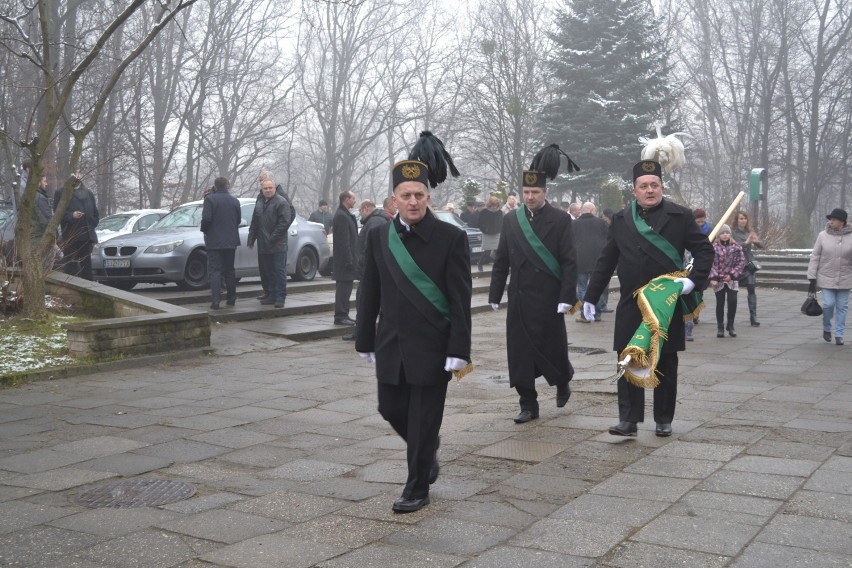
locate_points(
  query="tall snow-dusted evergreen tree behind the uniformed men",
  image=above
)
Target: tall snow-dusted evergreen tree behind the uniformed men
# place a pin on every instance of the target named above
(609, 76)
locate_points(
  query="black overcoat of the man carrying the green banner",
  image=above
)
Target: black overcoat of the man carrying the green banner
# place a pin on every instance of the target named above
(636, 267)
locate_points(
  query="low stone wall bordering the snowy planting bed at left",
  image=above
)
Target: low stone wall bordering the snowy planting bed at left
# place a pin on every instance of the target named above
(128, 324)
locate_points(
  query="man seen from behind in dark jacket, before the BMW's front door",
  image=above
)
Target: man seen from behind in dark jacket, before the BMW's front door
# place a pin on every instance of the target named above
(220, 223)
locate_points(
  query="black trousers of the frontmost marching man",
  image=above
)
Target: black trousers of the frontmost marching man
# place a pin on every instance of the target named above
(415, 412)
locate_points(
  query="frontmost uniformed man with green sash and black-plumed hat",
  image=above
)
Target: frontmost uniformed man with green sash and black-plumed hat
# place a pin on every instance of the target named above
(418, 341)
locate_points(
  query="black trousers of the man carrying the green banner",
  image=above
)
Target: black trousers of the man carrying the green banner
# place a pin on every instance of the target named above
(631, 399)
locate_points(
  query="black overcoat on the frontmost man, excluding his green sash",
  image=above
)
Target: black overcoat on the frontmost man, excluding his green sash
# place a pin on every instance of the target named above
(410, 336)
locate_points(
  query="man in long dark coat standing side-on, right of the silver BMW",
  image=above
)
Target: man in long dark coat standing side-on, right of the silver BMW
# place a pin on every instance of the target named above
(345, 230)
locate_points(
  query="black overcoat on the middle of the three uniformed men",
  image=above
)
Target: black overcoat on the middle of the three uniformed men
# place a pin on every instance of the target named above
(537, 343)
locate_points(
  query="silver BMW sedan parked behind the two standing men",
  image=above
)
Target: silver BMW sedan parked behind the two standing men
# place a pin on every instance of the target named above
(172, 250)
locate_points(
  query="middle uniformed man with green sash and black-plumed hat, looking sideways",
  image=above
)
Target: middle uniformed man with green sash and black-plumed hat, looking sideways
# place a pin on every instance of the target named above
(539, 294)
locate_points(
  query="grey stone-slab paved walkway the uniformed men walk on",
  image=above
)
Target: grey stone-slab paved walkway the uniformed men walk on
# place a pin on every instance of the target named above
(294, 467)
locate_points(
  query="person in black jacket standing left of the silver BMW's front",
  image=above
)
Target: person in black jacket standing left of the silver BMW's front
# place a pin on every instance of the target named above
(78, 229)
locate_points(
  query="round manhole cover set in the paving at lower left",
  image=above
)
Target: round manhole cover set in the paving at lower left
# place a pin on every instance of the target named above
(135, 493)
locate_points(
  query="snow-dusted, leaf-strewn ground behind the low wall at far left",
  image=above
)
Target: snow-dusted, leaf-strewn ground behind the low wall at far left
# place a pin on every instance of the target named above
(27, 345)
